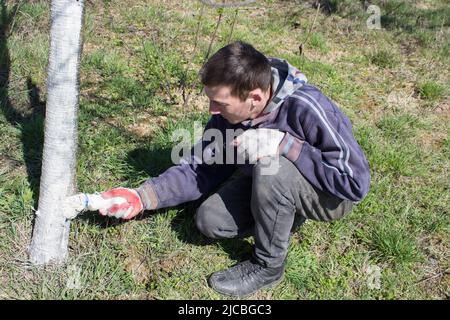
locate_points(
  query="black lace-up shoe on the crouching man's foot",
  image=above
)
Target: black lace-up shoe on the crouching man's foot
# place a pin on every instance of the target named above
(245, 278)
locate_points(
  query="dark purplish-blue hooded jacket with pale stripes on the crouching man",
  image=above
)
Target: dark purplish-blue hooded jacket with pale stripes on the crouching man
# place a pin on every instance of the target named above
(318, 140)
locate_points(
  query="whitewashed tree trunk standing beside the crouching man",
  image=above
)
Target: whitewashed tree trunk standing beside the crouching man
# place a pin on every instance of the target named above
(51, 230)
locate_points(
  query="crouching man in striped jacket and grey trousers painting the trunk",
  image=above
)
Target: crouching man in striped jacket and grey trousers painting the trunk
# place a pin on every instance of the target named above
(302, 162)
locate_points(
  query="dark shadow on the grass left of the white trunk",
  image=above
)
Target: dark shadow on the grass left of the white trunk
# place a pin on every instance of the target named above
(28, 119)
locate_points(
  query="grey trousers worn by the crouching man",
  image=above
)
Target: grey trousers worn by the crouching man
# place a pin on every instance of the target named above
(266, 206)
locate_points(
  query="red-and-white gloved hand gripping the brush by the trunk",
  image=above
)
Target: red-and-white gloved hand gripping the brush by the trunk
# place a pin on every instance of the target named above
(127, 206)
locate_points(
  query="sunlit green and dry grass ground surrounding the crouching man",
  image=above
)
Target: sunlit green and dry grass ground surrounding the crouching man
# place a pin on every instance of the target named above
(133, 67)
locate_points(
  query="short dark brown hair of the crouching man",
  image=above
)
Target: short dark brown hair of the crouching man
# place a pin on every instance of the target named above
(239, 66)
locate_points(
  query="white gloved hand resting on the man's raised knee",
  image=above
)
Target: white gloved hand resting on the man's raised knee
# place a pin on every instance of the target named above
(258, 143)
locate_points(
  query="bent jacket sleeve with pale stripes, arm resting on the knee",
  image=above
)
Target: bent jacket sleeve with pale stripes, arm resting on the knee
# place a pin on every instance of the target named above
(324, 150)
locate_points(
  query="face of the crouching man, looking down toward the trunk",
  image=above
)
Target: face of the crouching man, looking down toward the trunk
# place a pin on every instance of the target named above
(232, 108)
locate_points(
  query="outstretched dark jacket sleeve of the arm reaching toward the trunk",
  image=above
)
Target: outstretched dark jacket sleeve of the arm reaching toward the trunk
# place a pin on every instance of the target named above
(188, 180)
